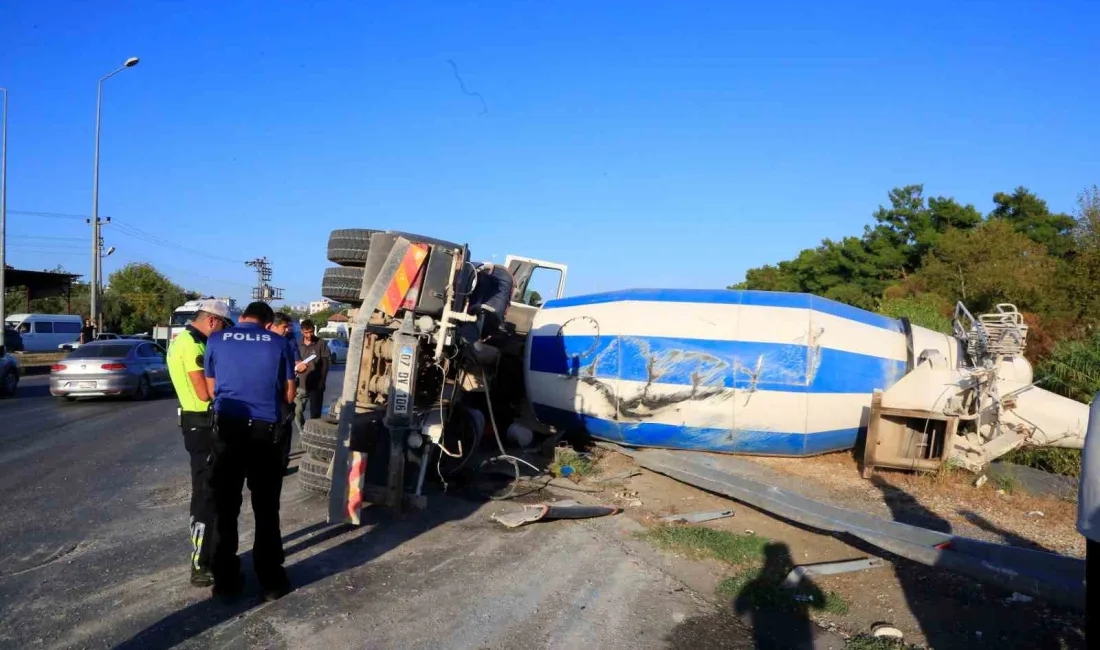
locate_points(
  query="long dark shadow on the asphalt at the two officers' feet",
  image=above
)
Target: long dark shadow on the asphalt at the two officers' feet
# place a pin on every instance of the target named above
(381, 533)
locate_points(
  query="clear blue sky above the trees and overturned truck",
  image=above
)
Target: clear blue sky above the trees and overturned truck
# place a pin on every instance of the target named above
(644, 145)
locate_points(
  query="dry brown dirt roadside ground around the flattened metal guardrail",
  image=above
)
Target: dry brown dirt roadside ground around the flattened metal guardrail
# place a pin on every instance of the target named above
(934, 609)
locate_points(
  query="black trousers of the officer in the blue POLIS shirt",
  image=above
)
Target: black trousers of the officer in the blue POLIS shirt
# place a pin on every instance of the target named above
(249, 453)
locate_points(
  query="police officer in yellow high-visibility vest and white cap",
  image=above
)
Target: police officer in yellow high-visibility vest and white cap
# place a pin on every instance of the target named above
(186, 355)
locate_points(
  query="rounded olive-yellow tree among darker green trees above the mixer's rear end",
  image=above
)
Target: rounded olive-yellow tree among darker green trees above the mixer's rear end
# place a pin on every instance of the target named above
(991, 265)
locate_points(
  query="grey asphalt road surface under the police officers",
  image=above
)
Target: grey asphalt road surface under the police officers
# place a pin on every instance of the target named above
(94, 547)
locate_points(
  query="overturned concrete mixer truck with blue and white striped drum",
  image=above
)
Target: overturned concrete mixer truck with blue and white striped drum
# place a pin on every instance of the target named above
(443, 349)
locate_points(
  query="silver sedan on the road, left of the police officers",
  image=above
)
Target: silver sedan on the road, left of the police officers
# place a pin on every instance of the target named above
(125, 367)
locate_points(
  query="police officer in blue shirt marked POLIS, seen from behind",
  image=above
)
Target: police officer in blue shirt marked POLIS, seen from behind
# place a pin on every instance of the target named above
(249, 373)
